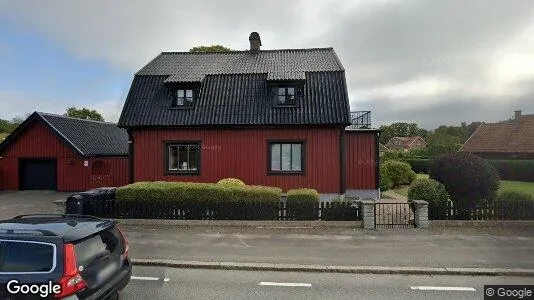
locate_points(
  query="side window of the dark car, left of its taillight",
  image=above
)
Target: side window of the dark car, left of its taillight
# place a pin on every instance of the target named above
(26, 257)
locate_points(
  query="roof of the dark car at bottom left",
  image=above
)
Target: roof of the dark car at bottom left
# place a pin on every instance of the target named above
(68, 228)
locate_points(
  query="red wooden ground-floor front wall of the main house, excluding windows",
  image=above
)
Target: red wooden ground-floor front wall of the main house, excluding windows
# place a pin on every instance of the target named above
(242, 153)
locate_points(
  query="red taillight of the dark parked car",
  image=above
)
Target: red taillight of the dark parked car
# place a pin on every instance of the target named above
(71, 282)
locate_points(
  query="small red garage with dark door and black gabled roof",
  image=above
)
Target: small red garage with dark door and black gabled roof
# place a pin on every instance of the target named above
(51, 152)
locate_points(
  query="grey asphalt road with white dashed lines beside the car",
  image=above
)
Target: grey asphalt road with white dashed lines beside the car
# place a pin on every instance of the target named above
(169, 283)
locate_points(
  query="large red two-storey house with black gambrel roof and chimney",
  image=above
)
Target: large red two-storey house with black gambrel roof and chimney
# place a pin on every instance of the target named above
(269, 117)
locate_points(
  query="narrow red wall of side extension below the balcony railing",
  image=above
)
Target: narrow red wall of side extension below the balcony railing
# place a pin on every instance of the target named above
(361, 159)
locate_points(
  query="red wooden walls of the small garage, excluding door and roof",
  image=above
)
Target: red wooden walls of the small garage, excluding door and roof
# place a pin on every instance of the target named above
(37, 141)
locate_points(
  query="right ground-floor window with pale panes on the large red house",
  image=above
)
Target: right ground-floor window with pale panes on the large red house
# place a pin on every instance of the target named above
(286, 157)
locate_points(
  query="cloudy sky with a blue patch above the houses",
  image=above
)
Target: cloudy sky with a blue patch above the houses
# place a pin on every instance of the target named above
(430, 62)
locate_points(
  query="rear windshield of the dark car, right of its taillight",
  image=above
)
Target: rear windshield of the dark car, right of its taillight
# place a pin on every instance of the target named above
(94, 248)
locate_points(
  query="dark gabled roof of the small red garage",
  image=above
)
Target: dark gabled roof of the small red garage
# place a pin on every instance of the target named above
(86, 137)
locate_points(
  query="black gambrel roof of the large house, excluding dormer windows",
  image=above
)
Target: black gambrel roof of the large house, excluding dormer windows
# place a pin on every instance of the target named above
(235, 89)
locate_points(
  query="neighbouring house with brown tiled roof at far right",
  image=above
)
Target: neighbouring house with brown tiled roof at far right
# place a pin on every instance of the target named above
(505, 140)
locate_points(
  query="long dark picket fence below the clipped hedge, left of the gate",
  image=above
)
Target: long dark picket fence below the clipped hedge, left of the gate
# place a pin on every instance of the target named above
(111, 208)
